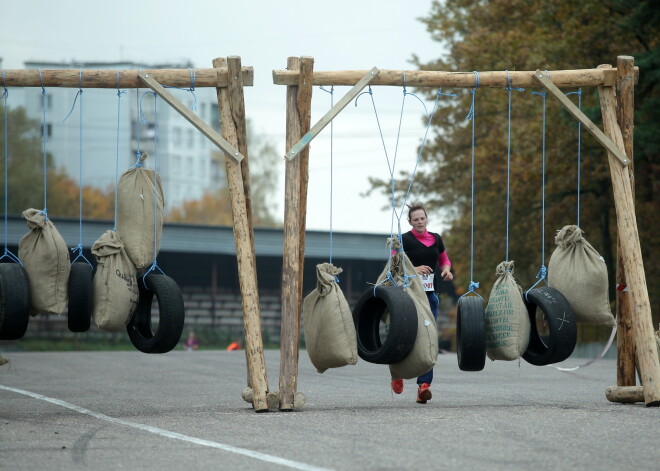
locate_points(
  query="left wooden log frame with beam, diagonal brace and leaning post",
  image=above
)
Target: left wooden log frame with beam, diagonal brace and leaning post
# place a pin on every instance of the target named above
(229, 78)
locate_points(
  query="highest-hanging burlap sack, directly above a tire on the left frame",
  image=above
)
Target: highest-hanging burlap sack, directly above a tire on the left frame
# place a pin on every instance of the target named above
(135, 214)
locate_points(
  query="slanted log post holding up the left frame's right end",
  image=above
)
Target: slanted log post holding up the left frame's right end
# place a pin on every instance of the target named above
(247, 276)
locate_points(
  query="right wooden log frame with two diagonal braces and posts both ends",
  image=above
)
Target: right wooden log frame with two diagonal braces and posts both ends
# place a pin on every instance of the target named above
(636, 345)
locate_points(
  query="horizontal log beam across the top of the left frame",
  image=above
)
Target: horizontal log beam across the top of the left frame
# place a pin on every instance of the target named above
(108, 78)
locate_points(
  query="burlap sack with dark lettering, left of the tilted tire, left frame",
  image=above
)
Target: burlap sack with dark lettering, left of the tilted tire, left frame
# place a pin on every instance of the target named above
(115, 291)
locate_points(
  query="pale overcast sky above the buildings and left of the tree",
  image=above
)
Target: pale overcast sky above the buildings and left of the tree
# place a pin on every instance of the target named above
(339, 34)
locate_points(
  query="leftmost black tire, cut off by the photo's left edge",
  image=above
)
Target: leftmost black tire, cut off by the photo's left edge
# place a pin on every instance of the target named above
(14, 301)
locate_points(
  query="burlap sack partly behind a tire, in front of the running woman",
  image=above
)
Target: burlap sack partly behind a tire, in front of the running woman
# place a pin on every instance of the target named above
(424, 353)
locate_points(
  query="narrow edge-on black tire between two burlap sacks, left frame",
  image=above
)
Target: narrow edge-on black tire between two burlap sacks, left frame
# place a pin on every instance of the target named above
(80, 297)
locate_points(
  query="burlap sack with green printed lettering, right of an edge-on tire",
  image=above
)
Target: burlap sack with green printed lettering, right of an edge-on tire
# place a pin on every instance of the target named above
(507, 320)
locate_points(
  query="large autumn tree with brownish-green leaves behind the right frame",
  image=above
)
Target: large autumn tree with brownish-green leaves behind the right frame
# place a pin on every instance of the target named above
(527, 35)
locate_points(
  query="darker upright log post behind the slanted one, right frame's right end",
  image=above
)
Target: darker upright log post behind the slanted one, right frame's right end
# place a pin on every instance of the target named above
(625, 370)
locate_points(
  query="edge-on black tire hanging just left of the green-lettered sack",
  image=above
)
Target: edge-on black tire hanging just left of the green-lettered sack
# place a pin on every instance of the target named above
(471, 333)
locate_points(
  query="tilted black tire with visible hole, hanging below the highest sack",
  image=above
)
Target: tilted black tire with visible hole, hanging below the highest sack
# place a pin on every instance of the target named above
(171, 313)
